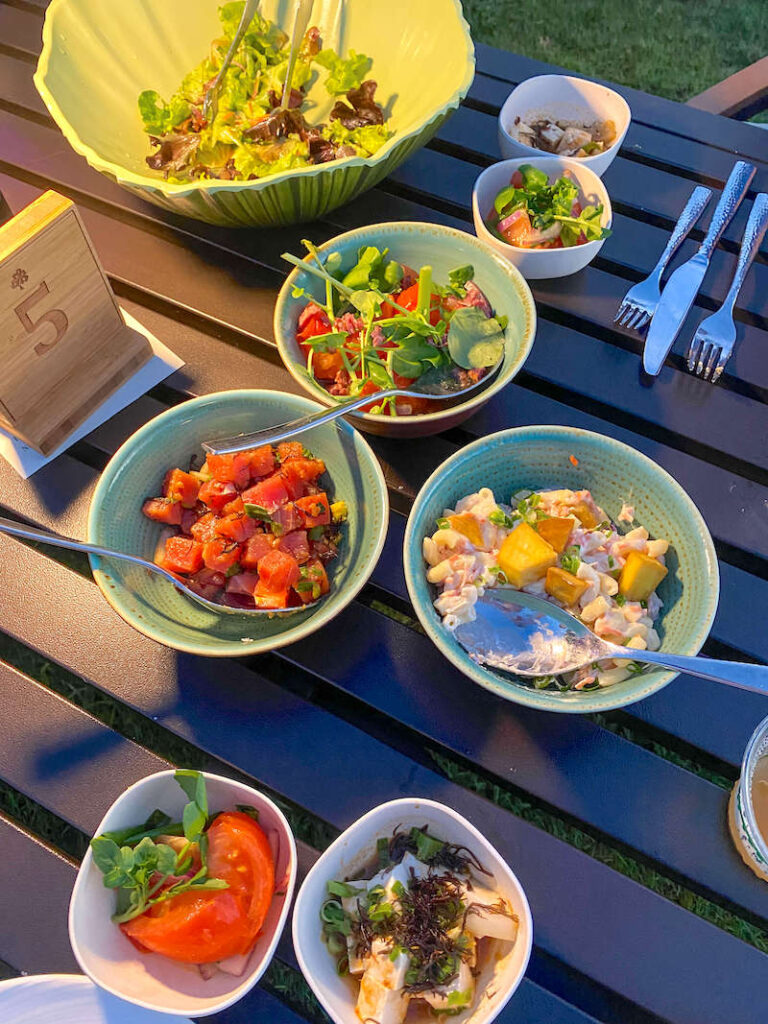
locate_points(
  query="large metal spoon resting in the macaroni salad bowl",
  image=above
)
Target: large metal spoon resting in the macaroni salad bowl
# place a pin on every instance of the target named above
(528, 636)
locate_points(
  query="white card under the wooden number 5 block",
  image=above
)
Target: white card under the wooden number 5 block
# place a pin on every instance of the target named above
(27, 461)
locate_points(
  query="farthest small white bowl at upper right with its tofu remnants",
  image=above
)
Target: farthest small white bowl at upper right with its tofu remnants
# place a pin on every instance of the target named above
(561, 115)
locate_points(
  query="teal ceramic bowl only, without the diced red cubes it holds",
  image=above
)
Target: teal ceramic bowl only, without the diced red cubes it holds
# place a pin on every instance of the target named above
(152, 605)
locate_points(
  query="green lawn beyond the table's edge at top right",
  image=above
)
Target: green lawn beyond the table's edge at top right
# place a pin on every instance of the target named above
(673, 49)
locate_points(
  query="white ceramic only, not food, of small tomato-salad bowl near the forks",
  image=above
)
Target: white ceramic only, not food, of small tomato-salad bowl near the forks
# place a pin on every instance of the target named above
(536, 264)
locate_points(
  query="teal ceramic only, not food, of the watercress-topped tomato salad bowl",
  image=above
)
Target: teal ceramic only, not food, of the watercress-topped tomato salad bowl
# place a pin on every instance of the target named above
(418, 244)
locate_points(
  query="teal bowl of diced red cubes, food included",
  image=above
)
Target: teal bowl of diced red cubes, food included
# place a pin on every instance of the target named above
(291, 531)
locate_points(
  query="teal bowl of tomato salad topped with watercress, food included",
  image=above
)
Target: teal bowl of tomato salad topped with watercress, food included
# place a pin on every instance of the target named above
(395, 306)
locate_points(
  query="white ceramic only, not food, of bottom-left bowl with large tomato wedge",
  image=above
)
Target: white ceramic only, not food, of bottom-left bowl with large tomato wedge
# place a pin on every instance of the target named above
(148, 979)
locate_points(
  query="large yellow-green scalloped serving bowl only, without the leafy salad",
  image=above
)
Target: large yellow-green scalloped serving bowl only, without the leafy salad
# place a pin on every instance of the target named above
(99, 57)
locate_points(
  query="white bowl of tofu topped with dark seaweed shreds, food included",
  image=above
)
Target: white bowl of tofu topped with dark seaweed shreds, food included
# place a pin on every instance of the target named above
(492, 945)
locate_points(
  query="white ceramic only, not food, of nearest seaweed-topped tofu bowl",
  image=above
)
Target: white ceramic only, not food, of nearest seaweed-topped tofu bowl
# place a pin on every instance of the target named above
(353, 849)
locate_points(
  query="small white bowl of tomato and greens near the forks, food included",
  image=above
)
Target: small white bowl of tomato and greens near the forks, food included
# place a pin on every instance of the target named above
(547, 227)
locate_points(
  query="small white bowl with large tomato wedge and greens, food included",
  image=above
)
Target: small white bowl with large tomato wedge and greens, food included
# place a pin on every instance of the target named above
(197, 923)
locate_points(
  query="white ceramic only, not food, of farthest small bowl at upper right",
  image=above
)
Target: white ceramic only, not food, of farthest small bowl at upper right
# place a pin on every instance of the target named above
(562, 96)
